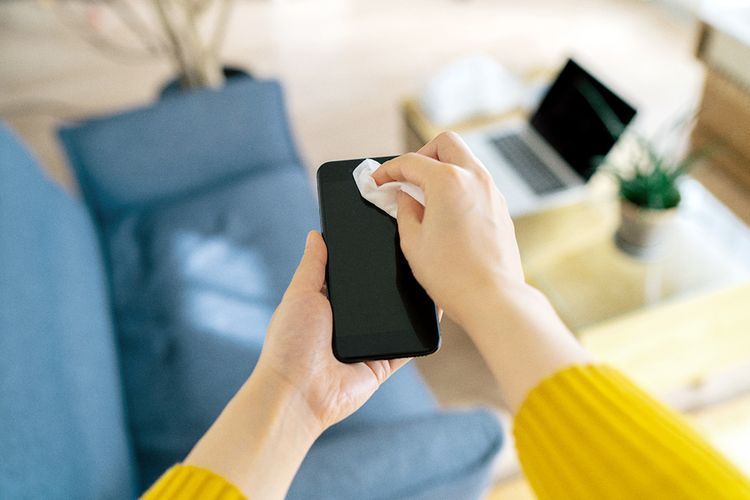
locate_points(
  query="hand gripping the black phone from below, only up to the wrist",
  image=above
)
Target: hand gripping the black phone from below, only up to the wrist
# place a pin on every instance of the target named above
(298, 346)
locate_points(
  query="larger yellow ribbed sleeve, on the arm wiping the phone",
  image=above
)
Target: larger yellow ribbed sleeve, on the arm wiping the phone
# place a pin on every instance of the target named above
(587, 432)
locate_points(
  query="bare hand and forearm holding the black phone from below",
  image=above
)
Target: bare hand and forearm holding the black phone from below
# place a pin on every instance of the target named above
(296, 391)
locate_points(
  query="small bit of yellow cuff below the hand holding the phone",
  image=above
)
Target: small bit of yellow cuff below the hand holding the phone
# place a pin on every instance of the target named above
(187, 482)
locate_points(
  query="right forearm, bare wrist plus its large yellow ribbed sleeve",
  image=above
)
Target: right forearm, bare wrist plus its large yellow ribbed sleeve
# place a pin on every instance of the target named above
(584, 428)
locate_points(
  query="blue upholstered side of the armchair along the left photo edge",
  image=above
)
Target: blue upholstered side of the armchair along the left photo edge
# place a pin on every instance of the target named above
(62, 424)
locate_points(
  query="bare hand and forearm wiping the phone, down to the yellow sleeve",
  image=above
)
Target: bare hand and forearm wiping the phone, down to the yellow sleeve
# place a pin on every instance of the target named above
(462, 248)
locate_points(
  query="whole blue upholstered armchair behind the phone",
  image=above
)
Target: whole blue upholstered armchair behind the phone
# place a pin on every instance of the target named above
(144, 322)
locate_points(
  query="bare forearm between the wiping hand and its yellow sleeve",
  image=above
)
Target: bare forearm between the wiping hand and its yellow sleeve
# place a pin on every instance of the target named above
(521, 338)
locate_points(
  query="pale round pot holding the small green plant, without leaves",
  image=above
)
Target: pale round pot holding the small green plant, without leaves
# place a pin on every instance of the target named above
(644, 233)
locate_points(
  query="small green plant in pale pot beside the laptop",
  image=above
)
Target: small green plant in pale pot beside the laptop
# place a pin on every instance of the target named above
(649, 194)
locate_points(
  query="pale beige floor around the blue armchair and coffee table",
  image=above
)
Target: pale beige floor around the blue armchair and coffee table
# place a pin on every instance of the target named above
(345, 66)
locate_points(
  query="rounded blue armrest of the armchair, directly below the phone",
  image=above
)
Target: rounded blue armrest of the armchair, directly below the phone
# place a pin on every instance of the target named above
(435, 456)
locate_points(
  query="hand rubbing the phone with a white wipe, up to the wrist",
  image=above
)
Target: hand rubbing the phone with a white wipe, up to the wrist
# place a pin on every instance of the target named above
(462, 244)
